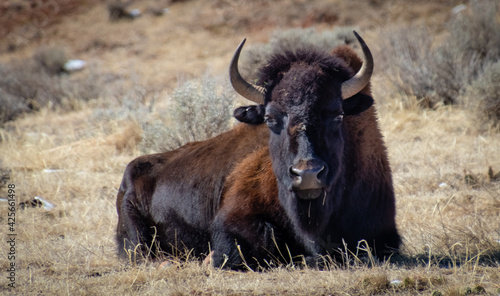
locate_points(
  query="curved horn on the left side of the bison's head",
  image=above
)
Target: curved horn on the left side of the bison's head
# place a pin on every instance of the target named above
(247, 90)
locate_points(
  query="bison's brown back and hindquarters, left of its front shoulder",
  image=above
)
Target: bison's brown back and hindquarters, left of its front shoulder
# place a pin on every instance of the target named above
(175, 194)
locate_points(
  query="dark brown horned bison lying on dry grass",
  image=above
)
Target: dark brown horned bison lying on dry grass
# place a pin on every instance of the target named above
(306, 174)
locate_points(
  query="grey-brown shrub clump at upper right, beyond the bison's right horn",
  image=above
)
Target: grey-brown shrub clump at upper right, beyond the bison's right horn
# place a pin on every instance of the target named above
(440, 74)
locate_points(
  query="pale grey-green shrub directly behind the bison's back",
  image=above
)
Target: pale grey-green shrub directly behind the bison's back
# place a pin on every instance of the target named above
(199, 110)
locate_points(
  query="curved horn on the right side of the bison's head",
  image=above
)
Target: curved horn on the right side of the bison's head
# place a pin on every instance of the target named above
(361, 79)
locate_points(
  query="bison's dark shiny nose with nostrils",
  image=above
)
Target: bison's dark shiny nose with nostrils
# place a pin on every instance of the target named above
(308, 174)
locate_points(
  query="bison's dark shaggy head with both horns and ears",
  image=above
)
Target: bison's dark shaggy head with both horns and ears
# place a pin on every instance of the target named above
(306, 96)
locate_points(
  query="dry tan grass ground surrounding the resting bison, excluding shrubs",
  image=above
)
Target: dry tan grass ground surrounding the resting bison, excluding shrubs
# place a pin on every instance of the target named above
(445, 159)
